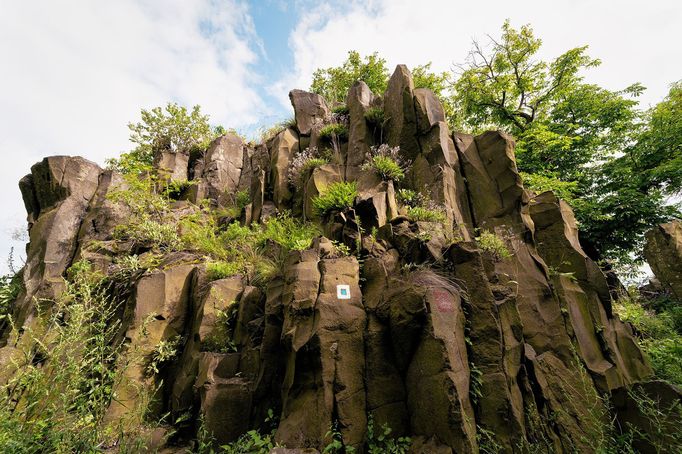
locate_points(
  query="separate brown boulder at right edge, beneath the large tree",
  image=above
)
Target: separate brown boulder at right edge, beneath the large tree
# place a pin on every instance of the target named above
(663, 252)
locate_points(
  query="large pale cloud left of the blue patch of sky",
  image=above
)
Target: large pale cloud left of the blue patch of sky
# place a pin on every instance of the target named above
(75, 72)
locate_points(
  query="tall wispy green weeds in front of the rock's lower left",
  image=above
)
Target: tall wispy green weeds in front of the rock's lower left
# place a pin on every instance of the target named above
(56, 399)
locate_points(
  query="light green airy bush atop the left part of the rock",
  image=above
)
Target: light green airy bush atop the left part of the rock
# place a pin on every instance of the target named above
(171, 128)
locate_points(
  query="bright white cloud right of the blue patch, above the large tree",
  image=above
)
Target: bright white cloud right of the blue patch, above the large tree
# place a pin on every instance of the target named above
(636, 42)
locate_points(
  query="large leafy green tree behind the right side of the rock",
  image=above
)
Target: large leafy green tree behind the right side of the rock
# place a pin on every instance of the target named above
(575, 138)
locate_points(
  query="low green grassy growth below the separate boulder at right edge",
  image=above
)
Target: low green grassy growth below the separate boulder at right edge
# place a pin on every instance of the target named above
(660, 333)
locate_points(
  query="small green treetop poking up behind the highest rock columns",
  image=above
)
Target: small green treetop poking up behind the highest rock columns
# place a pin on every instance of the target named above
(333, 83)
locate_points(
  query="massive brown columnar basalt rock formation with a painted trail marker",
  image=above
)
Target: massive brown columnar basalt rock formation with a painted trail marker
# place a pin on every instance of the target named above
(420, 328)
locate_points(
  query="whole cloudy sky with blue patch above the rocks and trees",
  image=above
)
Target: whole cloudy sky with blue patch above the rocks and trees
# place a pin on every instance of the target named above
(74, 73)
